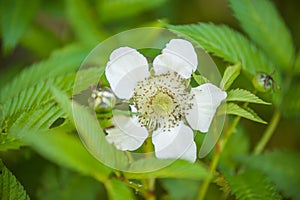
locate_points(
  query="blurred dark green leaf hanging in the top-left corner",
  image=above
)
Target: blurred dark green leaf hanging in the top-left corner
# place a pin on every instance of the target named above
(15, 18)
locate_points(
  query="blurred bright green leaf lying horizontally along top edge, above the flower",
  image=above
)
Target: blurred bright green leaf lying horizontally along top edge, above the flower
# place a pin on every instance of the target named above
(117, 9)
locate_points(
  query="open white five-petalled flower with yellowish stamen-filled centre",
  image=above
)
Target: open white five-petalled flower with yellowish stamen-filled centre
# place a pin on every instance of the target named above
(164, 105)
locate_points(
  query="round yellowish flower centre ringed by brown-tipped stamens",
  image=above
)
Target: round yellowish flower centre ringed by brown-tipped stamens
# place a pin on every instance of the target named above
(162, 101)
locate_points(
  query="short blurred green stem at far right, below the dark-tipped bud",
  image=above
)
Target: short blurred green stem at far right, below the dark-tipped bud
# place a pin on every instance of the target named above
(268, 133)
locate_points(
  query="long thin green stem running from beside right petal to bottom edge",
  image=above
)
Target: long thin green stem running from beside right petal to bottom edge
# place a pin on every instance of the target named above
(218, 150)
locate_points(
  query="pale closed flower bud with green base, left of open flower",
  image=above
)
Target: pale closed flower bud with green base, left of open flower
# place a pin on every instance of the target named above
(102, 100)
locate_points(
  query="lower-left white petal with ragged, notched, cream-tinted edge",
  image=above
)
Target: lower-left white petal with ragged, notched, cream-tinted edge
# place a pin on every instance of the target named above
(127, 133)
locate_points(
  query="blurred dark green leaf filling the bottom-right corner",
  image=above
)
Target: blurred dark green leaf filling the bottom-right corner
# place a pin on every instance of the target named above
(281, 167)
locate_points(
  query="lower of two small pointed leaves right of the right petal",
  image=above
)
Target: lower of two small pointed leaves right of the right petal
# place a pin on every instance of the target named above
(234, 109)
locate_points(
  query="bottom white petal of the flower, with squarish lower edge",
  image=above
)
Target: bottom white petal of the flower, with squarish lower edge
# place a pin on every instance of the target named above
(176, 143)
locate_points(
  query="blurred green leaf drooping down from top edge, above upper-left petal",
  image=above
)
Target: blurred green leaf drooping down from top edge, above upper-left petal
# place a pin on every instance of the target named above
(84, 22)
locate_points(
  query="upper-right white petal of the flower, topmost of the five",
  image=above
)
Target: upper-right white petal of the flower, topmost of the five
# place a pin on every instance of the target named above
(179, 56)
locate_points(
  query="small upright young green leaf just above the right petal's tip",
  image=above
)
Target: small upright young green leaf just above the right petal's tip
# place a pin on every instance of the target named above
(230, 74)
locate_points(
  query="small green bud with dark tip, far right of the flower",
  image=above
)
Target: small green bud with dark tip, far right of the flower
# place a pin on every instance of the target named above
(264, 82)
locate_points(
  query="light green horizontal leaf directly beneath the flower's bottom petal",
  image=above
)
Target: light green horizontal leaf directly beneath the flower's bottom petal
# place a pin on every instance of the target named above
(167, 169)
